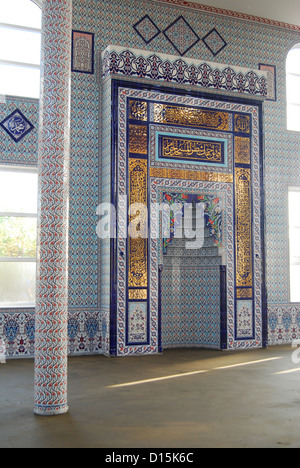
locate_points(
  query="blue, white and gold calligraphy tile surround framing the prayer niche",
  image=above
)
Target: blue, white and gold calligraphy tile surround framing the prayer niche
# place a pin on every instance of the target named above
(235, 193)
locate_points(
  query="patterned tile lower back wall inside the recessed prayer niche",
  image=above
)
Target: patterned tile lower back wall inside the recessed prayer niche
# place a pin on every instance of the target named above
(190, 305)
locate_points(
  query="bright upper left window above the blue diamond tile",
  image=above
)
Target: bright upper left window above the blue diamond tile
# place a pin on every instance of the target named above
(20, 39)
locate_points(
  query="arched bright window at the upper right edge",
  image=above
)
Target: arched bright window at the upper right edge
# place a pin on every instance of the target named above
(293, 89)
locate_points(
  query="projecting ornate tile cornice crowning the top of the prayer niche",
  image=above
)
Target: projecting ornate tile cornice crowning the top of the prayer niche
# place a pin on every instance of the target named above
(141, 64)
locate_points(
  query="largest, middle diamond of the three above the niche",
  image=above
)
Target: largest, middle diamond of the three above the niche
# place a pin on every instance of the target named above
(181, 35)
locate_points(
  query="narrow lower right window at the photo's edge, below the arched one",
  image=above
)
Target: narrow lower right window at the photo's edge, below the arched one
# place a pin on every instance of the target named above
(294, 231)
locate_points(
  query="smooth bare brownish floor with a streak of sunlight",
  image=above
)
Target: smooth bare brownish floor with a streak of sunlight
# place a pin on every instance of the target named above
(247, 405)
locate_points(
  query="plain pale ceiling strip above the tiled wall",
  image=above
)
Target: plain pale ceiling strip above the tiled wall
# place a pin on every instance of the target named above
(287, 11)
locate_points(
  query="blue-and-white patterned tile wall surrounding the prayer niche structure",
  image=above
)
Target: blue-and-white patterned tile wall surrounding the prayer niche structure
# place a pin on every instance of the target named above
(228, 40)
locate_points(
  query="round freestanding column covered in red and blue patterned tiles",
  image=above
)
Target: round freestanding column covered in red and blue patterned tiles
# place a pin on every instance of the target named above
(52, 264)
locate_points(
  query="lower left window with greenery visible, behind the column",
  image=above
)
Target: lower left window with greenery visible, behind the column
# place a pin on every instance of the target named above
(18, 233)
